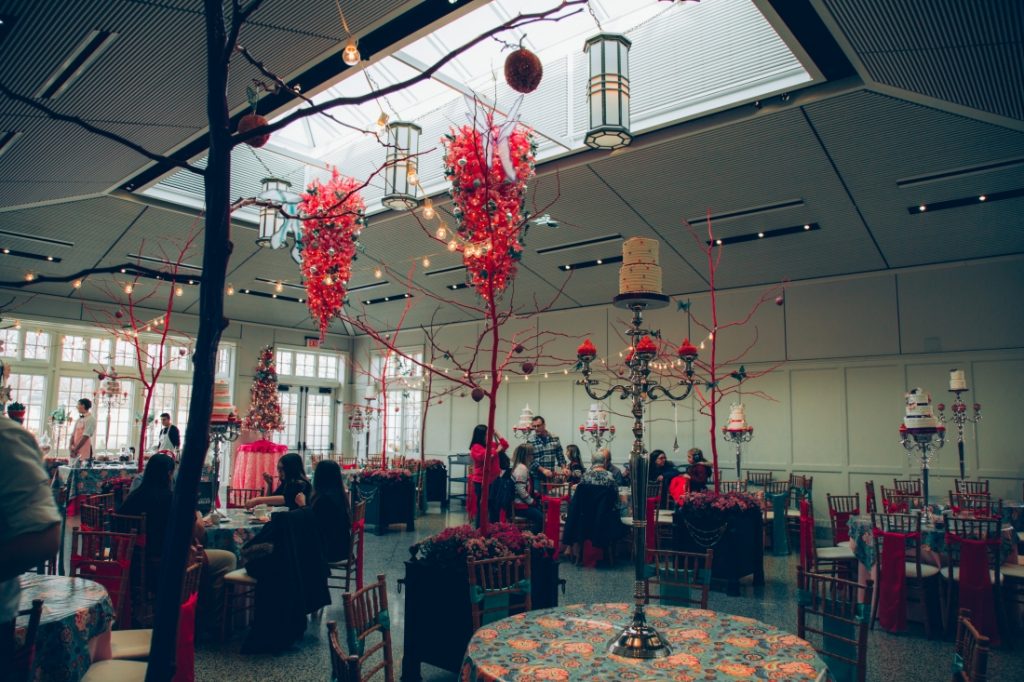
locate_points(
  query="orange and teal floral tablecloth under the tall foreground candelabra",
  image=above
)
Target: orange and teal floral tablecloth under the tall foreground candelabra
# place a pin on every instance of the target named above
(569, 644)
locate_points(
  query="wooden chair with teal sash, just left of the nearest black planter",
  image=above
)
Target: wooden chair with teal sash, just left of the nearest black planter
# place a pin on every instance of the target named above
(366, 616)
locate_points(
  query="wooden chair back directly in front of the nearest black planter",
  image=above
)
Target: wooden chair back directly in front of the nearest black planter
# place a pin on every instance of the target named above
(502, 578)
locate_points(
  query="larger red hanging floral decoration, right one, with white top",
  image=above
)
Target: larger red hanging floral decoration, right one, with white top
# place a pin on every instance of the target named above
(489, 165)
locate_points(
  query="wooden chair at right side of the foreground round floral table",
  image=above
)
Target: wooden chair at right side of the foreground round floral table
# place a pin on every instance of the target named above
(831, 609)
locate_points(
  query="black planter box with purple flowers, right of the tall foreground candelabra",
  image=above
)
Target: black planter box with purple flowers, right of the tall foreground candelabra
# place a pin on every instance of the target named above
(739, 551)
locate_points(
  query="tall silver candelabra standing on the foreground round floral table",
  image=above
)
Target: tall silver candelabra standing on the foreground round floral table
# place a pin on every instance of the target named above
(638, 641)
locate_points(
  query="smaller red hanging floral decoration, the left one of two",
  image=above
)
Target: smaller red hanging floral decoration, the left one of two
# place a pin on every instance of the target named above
(334, 217)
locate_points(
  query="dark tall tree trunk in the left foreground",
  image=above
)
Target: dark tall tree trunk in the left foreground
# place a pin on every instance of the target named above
(217, 252)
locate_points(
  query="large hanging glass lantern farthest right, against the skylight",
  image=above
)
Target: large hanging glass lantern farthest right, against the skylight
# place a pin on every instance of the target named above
(609, 92)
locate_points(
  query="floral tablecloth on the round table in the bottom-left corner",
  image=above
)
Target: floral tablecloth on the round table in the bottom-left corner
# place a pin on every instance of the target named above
(75, 629)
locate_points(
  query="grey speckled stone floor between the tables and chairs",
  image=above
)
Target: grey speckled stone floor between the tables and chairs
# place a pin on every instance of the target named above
(908, 659)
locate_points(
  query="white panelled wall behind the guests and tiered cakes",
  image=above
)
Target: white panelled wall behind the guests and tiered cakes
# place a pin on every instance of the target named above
(849, 349)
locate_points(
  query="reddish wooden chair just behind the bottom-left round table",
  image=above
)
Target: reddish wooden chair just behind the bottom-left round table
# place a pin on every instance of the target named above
(106, 559)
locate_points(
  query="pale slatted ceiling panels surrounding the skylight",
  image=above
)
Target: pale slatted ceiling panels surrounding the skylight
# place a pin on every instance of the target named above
(842, 152)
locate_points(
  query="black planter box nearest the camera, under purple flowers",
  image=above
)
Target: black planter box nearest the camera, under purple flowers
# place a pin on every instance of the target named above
(439, 621)
